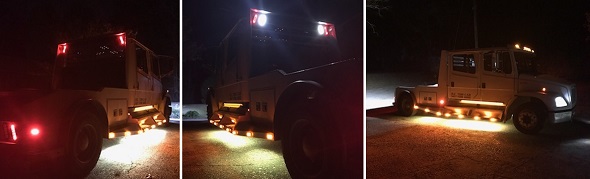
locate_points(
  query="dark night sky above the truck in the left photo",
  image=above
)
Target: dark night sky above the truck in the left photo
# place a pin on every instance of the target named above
(31, 30)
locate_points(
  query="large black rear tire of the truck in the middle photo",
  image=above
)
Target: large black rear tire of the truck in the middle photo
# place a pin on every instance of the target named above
(312, 148)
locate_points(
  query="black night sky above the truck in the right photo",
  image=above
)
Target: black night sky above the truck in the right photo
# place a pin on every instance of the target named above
(410, 33)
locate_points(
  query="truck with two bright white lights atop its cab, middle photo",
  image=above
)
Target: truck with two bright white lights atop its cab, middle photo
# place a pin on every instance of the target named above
(281, 77)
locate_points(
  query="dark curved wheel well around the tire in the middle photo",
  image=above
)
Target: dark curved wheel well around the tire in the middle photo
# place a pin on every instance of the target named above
(297, 91)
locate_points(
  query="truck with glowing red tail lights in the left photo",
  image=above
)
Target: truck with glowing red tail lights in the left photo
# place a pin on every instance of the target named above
(100, 87)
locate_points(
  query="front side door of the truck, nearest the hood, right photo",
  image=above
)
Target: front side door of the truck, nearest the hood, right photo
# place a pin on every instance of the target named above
(497, 77)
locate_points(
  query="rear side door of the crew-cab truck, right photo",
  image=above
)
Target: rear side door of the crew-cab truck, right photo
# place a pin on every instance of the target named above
(463, 79)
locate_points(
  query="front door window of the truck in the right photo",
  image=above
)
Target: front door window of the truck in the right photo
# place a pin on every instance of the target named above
(497, 64)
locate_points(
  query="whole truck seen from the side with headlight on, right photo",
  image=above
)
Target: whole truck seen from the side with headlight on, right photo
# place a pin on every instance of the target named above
(495, 84)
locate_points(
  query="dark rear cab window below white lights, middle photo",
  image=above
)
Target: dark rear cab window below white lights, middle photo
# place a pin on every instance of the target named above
(289, 43)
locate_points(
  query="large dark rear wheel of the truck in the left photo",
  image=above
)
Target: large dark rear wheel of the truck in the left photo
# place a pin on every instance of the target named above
(84, 145)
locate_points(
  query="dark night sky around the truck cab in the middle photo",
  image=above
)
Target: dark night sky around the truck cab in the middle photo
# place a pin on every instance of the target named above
(207, 22)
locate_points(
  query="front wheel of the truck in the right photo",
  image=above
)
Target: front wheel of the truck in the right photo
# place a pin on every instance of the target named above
(529, 118)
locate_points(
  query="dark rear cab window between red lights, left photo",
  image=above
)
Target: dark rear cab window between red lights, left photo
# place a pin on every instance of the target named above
(94, 63)
